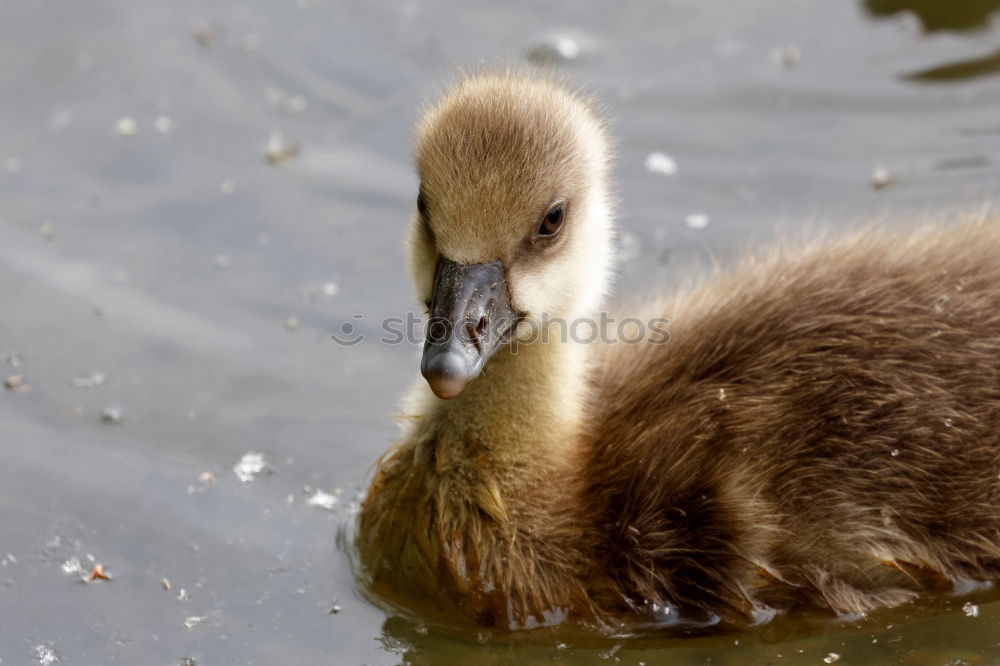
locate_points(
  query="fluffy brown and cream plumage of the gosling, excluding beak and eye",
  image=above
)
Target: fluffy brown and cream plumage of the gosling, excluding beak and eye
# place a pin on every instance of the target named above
(821, 431)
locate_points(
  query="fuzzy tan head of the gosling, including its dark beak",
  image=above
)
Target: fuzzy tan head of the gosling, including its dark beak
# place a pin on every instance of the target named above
(512, 224)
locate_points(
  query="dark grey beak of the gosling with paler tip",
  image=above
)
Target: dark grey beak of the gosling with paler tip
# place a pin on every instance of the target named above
(471, 317)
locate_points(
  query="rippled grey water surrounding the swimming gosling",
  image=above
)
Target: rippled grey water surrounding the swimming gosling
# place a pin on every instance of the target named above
(145, 237)
